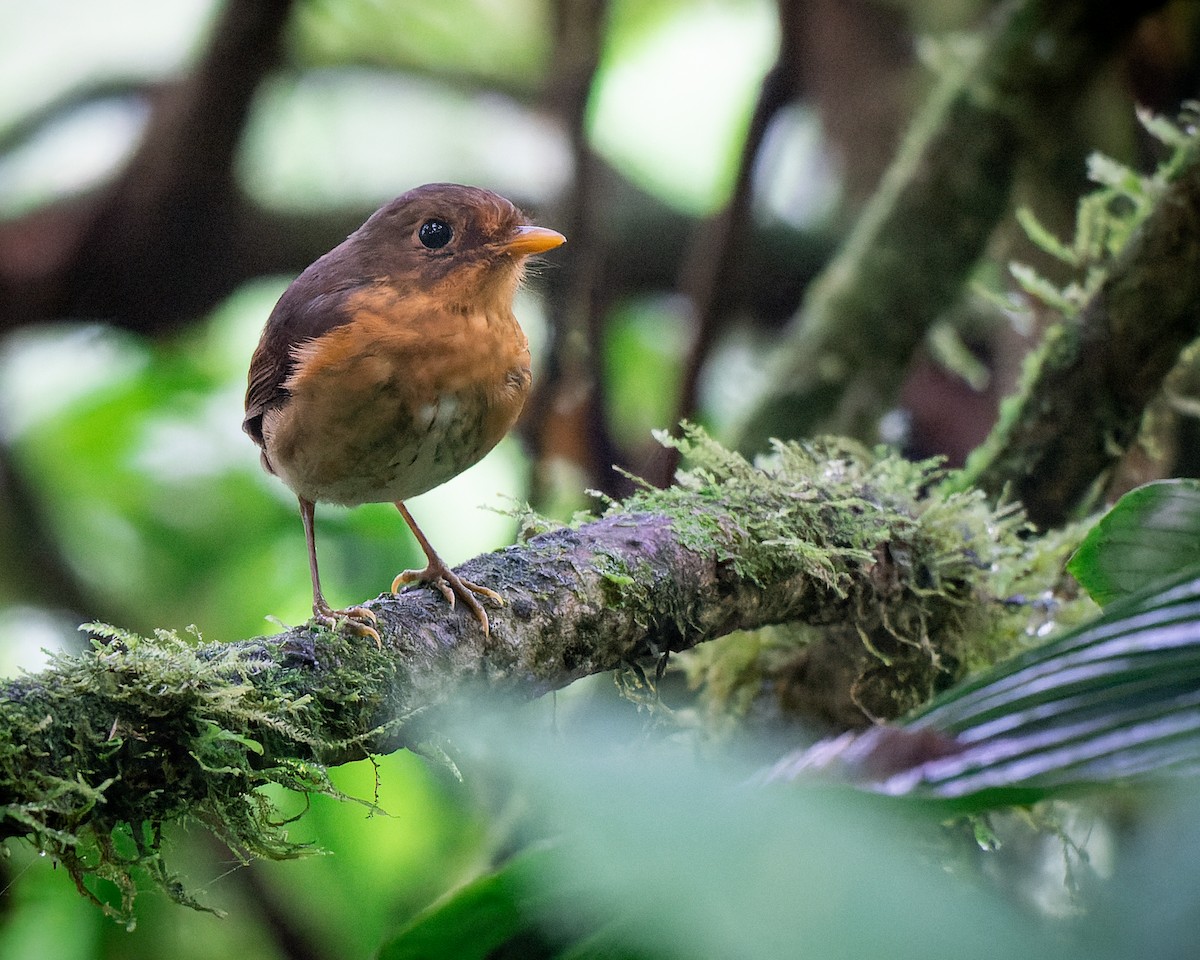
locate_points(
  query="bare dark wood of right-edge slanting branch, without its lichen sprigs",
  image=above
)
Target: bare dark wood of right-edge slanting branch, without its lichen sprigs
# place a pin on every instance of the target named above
(1099, 371)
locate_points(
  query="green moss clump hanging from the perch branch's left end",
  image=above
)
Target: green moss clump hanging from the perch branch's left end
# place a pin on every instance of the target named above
(101, 818)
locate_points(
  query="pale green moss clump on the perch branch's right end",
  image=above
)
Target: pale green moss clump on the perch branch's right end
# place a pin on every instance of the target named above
(933, 583)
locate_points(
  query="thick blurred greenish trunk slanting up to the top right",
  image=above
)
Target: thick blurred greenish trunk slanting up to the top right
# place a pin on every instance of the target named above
(927, 226)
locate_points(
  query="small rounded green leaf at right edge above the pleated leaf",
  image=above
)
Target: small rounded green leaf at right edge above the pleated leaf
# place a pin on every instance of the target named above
(1150, 535)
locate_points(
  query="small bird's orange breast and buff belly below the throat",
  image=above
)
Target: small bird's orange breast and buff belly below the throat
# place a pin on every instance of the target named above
(382, 413)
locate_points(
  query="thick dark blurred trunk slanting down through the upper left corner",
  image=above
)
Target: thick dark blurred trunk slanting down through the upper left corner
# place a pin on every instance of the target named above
(154, 247)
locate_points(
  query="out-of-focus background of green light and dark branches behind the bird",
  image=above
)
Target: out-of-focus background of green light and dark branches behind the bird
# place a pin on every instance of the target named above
(128, 493)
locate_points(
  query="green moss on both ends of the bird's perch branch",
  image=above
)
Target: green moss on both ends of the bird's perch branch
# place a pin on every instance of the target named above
(917, 583)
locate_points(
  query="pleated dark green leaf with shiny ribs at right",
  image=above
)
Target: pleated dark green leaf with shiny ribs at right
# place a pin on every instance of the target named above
(1114, 701)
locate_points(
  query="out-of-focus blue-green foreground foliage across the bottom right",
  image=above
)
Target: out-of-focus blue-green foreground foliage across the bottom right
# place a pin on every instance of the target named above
(656, 854)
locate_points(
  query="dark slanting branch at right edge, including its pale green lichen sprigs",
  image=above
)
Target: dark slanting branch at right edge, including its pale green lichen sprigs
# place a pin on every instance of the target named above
(1125, 326)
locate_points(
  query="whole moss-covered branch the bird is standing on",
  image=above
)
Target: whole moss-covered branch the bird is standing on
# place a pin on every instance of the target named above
(103, 749)
